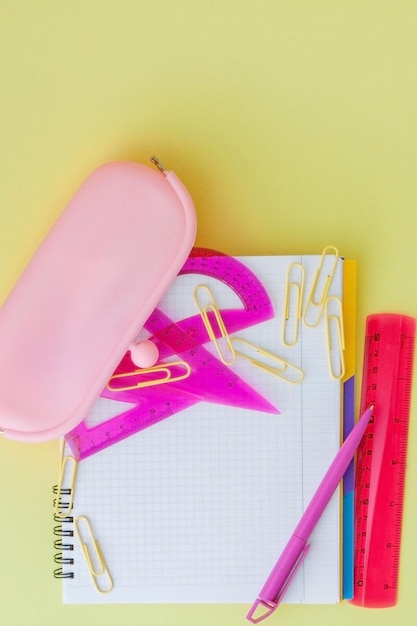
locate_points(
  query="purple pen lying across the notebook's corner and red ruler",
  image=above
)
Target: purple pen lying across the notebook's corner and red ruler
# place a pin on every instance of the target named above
(297, 547)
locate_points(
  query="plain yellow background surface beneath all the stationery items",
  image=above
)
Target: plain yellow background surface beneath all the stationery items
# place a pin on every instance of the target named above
(292, 123)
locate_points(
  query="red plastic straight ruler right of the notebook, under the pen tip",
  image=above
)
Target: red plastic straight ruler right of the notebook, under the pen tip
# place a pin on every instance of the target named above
(381, 459)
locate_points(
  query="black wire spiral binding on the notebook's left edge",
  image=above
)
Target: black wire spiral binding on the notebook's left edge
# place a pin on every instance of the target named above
(64, 532)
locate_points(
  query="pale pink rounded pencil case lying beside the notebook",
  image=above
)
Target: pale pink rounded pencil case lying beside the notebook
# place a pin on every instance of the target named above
(86, 293)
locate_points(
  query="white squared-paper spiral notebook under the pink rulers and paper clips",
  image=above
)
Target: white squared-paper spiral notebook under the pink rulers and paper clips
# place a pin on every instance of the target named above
(197, 507)
